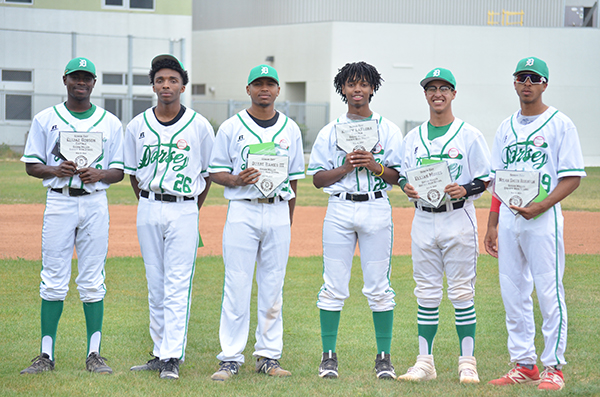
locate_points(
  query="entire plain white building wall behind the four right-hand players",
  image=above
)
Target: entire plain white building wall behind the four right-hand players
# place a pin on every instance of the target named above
(482, 59)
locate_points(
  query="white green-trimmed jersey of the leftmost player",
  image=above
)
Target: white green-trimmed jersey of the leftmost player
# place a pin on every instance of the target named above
(44, 137)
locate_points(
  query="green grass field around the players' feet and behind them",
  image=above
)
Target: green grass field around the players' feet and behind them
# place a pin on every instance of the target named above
(126, 340)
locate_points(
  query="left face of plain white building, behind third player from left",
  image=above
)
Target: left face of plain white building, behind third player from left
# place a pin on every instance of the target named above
(222, 59)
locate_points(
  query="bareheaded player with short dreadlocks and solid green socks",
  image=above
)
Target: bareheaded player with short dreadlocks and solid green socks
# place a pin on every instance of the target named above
(358, 211)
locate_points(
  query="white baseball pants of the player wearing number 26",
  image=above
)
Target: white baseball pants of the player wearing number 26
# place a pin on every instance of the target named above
(168, 236)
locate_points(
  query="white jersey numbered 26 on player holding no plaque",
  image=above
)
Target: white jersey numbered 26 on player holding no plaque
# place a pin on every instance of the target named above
(169, 159)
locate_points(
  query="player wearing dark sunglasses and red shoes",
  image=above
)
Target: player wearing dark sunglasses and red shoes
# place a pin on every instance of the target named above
(530, 248)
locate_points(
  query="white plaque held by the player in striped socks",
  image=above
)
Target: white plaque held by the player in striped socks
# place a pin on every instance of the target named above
(430, 181)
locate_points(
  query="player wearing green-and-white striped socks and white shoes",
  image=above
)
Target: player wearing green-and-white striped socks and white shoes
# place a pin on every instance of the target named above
(444, 239)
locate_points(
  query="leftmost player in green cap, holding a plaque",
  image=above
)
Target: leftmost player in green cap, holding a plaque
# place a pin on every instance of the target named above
(76, 209)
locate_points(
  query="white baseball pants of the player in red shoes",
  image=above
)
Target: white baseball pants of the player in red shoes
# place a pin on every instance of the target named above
(531, 253)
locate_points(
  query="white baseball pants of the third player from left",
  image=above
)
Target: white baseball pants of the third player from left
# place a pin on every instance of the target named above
(254, 234)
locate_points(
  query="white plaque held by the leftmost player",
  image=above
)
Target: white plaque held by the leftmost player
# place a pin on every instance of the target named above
(82, 148)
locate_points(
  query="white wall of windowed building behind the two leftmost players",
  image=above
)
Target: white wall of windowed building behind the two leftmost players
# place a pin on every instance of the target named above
(40, 40)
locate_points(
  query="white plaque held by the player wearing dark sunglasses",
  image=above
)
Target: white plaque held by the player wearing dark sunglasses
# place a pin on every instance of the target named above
(517, 187)
